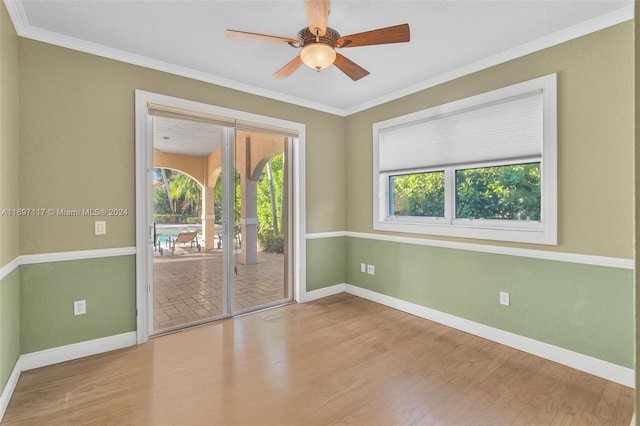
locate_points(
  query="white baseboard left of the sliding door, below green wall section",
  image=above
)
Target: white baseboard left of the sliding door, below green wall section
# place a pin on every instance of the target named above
(76, 350)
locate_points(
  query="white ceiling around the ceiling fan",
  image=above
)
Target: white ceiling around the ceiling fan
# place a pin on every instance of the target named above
(448, 39)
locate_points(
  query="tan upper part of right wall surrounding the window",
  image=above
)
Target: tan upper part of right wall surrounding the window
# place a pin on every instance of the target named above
(595, 139)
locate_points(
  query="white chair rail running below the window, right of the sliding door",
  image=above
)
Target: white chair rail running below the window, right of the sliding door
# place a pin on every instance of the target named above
(584, 259)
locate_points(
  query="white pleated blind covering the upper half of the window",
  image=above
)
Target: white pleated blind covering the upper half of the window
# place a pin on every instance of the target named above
(509, 128)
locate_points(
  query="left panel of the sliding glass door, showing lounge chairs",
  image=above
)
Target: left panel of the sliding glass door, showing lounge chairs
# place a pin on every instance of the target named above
(189, 285)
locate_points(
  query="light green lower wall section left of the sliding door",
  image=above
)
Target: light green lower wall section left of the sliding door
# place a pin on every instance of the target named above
(47, 292)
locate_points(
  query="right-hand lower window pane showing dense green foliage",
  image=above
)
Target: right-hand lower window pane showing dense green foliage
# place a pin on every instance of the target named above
(503, 192)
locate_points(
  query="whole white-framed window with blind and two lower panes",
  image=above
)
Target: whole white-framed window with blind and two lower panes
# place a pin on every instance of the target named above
(482, 167)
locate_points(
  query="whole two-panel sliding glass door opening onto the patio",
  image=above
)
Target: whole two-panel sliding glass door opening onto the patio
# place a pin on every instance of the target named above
(221, 225)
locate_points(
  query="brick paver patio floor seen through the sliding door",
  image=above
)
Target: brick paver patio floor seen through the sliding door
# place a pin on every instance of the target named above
(188, 285)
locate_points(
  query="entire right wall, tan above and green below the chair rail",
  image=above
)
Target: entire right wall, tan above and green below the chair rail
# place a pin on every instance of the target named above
(583, 308)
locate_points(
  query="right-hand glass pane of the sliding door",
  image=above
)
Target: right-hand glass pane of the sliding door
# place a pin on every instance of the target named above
(261, 222)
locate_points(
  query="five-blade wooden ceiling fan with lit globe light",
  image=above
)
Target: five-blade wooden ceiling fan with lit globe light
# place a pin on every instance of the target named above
(319, 42)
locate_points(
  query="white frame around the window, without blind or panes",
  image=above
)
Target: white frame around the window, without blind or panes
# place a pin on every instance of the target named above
(535, 232)
